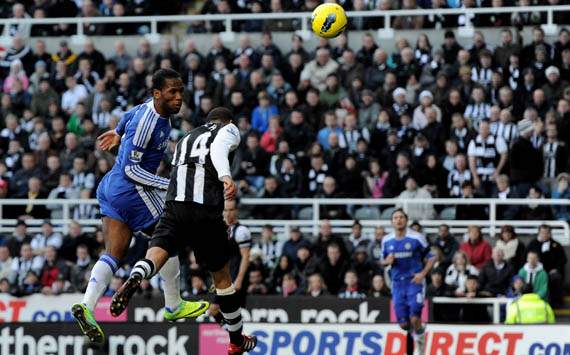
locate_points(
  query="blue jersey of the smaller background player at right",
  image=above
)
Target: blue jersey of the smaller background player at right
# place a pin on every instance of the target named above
(409, 252)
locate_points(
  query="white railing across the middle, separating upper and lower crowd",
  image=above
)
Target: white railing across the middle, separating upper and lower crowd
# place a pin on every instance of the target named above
(561, 230)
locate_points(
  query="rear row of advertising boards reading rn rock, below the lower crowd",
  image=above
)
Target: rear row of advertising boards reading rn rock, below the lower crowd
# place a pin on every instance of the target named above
(259, 309)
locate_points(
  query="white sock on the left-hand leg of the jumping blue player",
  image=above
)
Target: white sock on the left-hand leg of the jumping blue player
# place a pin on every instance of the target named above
(101, 276)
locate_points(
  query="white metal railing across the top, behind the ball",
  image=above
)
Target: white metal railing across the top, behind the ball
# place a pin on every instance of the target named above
(550, 26)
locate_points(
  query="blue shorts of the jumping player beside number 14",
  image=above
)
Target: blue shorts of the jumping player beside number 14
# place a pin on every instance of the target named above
(137, 206)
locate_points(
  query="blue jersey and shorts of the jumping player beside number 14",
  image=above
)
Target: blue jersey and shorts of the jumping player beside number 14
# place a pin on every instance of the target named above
(130, 191)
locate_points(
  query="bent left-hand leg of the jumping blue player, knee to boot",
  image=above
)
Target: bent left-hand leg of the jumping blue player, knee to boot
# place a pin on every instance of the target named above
(117, 237)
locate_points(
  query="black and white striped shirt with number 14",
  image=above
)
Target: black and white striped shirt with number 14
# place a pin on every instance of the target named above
(200, 160)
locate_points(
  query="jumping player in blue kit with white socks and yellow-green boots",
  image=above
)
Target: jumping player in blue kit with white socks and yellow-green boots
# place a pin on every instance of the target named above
(130, 199)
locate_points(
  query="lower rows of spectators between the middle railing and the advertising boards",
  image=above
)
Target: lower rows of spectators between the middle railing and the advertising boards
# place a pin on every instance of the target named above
(347, 266)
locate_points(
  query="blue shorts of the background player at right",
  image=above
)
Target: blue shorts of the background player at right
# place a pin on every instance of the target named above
(408, 299)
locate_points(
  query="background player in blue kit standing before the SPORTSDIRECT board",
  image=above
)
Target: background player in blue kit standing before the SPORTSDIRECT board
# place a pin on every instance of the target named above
(408, 254)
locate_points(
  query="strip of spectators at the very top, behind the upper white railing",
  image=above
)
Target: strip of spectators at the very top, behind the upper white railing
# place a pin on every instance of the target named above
(39, 9)
